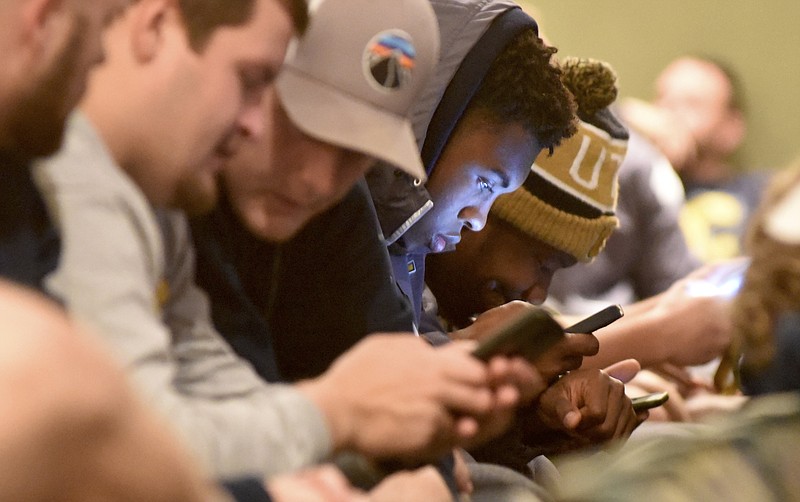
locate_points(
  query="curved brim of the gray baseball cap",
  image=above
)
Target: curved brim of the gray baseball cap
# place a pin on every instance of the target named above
(330, 115)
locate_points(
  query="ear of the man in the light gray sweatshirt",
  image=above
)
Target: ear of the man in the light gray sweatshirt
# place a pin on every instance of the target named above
(148, 22)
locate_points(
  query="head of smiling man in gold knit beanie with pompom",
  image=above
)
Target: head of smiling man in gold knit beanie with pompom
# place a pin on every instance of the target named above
(564, 213)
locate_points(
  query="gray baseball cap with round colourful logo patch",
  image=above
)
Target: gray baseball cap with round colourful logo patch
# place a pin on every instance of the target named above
(353, 76)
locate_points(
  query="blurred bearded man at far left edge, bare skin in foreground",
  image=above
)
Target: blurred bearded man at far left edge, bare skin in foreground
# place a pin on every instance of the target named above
(71, 426)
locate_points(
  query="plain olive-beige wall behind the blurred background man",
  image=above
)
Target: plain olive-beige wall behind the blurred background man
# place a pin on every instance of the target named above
(760, 39)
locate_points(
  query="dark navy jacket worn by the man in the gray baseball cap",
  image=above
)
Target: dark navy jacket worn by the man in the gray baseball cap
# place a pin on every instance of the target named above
(315, 296)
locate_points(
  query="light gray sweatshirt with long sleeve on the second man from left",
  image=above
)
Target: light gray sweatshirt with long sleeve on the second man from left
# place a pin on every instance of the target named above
(137, 291)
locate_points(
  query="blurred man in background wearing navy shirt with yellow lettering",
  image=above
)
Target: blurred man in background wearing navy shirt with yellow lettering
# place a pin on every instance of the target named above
(705, 96)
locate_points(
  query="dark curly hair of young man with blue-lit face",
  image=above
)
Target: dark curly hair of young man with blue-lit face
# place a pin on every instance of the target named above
(523, 85)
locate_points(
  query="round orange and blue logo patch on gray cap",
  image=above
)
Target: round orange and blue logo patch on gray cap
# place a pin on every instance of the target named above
(389, 60)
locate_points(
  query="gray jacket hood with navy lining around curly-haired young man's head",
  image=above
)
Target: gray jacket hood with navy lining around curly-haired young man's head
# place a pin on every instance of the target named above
(473, 33)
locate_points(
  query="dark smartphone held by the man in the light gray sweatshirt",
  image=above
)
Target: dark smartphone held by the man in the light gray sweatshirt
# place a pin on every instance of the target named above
(529, 335)
